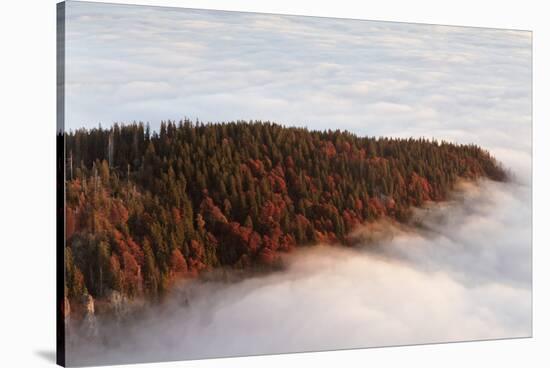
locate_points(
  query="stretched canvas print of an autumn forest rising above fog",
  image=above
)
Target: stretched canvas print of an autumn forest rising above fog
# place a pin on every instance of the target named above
(235, 184)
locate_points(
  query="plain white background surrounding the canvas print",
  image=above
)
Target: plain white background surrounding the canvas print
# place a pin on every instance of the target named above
(27, 180)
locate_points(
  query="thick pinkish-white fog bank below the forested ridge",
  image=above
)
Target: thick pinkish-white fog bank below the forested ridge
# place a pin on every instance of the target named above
(463, 274)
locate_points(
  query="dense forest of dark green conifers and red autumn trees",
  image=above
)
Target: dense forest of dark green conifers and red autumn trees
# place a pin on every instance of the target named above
(144, 209)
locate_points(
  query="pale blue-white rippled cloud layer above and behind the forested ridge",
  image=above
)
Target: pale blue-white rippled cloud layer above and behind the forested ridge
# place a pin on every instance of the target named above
(139, 63)
